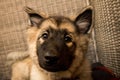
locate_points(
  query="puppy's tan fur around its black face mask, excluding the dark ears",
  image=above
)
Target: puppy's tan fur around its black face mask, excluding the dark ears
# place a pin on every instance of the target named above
(29, 69)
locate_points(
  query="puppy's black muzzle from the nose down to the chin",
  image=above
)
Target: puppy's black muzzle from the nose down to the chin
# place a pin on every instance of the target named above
(54, 63)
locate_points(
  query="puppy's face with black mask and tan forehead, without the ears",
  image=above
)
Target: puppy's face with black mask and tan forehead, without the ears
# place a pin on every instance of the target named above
(56, 51)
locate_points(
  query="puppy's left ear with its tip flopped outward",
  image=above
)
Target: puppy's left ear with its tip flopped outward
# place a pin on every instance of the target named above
(35, 18)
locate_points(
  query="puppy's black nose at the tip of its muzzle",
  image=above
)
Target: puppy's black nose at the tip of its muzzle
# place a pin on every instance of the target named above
(51, 59)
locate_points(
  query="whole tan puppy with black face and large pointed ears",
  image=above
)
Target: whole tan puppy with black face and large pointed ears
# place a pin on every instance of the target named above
(57, 48)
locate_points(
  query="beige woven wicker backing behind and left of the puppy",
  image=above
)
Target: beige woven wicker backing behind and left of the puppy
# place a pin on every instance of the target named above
(14, 21)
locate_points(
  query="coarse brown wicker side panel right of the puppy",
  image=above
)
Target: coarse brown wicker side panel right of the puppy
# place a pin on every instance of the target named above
(107, 29)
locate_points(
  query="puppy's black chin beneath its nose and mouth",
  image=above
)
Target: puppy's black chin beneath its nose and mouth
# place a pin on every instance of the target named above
(53, 68)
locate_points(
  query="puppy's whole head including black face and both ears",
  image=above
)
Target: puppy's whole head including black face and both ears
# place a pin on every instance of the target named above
(56, 38)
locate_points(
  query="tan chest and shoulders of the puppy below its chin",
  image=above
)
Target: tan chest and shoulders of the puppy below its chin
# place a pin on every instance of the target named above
(30, 71)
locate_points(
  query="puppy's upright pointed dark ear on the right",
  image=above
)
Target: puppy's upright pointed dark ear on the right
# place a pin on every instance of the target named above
(84, 20)
